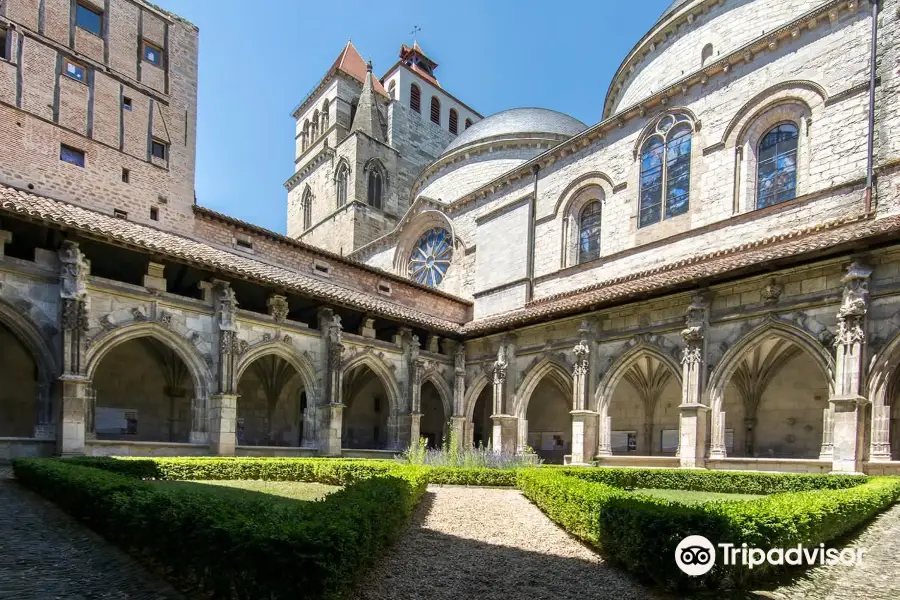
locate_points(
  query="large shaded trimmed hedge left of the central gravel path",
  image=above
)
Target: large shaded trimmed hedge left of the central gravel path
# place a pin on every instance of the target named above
(257, 546)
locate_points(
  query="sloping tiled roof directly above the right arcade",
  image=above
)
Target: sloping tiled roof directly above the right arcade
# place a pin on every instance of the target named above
(809, 240)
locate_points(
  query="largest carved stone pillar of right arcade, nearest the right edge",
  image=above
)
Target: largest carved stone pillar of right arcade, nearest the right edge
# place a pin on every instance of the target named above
(848, 403)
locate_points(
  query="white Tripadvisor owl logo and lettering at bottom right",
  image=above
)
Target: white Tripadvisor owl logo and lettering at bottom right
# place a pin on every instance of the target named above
(695, 555)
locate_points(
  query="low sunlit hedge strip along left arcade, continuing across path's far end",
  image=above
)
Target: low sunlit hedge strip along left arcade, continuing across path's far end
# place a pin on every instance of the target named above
(337, 471)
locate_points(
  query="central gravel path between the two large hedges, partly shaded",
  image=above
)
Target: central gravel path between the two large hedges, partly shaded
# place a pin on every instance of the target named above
(490, 544)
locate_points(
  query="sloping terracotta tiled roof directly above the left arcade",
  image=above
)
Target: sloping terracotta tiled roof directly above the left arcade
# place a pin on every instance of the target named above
(178, 247)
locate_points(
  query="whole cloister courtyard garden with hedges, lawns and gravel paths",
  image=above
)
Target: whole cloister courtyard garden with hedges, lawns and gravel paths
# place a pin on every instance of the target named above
(441, 538)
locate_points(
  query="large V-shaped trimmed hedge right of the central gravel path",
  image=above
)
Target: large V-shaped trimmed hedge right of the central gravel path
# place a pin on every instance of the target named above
(640, 533)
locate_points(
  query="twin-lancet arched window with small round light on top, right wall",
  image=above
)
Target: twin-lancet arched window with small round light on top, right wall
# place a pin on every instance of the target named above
(666, 170)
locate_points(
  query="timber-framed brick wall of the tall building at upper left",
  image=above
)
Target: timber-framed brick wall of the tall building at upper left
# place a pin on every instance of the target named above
(41, 108)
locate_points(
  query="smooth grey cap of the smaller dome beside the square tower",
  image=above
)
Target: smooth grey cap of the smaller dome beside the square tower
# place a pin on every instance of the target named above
(517, 122)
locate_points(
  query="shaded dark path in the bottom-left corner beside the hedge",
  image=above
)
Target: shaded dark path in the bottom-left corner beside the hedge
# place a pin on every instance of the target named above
(47, 555)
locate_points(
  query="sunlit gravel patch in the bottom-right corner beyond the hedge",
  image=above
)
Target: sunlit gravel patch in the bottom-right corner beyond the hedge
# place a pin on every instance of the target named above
(877, 578)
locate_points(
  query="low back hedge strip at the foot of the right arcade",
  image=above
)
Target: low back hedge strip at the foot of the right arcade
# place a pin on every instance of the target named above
(728, 482)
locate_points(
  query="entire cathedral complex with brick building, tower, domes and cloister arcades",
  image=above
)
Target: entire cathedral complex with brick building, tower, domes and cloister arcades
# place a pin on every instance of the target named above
(708, 277)
